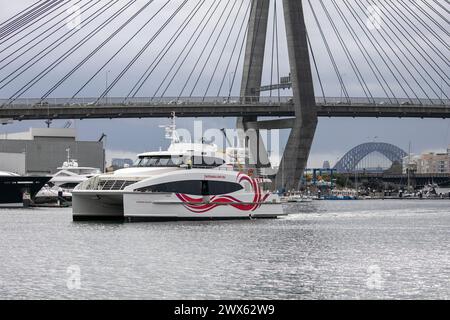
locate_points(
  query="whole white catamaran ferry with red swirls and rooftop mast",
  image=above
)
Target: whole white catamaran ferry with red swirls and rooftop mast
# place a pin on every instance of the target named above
(188, 181)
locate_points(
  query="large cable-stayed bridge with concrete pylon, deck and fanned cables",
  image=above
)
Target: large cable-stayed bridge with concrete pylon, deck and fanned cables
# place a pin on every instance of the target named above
(212, 58)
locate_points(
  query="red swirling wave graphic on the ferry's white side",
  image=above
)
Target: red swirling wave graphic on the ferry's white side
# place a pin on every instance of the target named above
(198, 205)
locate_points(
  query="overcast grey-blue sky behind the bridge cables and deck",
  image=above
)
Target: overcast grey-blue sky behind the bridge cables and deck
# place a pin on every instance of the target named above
(334, 136)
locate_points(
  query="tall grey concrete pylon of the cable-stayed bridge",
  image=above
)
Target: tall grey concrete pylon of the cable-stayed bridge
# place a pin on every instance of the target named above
(304, 124)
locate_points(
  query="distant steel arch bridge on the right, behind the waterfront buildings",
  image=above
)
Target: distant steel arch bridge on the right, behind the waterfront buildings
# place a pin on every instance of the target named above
(351, 159)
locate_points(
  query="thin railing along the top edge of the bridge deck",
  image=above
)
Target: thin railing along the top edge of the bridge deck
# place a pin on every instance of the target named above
(198, 101)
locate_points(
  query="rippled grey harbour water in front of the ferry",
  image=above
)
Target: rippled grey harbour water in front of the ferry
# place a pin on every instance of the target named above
(324, 250)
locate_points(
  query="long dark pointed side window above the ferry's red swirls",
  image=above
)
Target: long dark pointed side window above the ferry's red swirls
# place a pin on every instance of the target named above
(195, 187)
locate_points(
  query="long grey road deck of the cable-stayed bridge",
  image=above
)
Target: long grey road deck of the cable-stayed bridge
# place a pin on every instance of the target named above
(32, 109)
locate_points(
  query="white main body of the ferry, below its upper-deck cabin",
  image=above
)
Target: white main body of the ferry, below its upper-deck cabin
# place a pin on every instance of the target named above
(205, 197)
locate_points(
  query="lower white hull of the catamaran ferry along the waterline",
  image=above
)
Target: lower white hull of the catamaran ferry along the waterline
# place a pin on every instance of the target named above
(149, 207)
